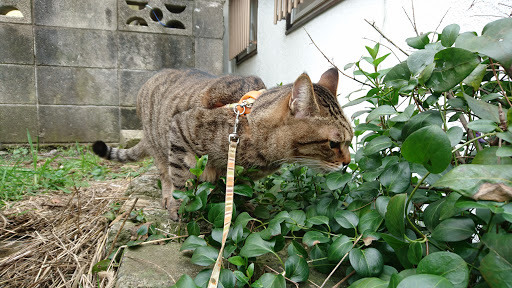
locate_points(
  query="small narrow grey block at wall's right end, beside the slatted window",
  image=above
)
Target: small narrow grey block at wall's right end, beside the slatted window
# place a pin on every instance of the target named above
(209, 55)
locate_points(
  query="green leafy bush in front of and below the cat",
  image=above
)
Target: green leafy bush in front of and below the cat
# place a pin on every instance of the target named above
(426, 200)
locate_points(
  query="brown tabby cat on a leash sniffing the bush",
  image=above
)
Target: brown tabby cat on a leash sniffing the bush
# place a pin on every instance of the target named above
(183, 116)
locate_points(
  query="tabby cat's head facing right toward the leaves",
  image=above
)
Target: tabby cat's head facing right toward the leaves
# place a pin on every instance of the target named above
(304, 123)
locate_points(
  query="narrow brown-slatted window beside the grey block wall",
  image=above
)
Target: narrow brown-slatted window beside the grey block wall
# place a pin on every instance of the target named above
(243, 24)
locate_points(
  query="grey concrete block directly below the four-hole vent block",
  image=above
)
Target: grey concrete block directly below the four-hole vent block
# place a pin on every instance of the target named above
(155, 51)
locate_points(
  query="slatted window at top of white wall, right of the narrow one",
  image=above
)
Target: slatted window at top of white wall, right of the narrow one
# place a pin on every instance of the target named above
(298, 12)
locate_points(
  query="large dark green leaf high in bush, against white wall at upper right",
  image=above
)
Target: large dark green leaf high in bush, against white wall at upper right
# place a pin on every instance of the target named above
(452, 66)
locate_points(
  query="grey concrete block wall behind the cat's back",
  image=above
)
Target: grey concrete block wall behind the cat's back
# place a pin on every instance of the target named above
(70, 70)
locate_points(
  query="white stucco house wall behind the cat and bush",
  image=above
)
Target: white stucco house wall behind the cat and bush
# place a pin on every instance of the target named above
(341, 31)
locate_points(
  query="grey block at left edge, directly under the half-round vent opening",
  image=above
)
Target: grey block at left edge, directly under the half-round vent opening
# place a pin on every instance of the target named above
(16, 44)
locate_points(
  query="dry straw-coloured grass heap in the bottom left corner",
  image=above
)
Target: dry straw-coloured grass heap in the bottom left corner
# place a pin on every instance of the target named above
(53, 240)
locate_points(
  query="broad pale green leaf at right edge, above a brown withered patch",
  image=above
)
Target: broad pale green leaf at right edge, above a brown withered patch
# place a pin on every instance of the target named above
(467, 179)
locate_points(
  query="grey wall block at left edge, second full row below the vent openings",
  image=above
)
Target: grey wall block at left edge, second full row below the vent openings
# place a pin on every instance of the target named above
(17, 84)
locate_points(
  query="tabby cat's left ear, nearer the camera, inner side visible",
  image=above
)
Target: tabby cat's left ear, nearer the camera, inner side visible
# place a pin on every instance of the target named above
(302, 101)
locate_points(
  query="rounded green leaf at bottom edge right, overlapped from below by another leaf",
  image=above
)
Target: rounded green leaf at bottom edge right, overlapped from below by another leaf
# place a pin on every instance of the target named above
(448, 265)
